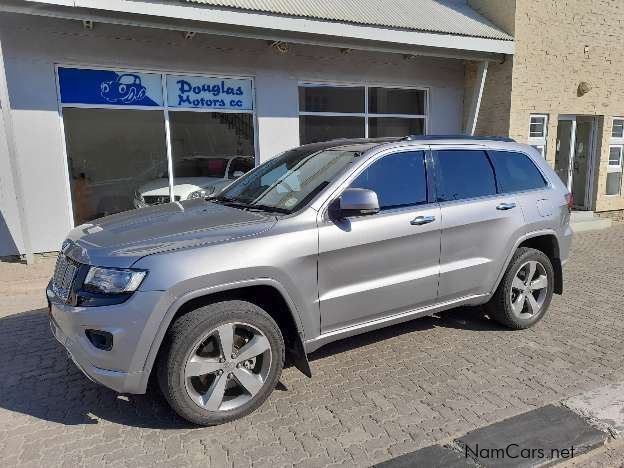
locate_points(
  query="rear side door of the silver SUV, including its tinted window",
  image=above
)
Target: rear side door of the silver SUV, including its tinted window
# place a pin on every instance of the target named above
(479, 224)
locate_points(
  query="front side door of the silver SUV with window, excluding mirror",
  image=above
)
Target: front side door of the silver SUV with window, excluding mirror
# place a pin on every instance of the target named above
(385, 263)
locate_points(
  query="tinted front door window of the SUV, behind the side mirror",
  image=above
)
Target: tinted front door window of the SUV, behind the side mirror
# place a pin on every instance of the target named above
(398, 179)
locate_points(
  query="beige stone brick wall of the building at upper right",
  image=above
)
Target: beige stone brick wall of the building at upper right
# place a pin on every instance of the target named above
(559, 44)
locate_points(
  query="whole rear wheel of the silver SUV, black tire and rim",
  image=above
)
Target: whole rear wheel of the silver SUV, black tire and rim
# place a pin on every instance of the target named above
(524, 294)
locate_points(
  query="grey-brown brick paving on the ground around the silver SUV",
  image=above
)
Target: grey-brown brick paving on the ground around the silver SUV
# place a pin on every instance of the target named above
(373, 397)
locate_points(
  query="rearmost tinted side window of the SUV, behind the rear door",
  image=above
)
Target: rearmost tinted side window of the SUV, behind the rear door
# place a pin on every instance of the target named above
(515, 172)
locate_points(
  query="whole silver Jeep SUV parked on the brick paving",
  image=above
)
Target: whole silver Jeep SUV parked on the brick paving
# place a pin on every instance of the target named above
(211, 297)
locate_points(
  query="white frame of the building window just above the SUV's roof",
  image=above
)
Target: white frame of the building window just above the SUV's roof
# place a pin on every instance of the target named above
(366, 114)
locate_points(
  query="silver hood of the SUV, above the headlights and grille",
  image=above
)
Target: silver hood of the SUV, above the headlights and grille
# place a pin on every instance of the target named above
(121, 239)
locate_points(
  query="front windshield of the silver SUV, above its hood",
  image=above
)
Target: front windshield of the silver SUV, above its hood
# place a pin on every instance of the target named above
(289, 181)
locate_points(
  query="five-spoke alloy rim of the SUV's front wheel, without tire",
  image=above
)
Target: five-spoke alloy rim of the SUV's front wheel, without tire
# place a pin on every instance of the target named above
(227, 367)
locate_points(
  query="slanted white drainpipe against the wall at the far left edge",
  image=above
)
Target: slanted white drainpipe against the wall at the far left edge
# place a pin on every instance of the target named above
(14, 161)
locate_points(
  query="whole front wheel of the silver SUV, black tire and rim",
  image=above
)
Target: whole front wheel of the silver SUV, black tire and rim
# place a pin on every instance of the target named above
(208, 375)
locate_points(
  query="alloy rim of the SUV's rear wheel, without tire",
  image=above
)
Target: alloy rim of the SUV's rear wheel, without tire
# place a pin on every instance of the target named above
(529, 289)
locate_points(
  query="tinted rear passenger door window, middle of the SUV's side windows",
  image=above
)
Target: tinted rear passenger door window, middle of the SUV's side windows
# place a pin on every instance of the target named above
(464, 174)
